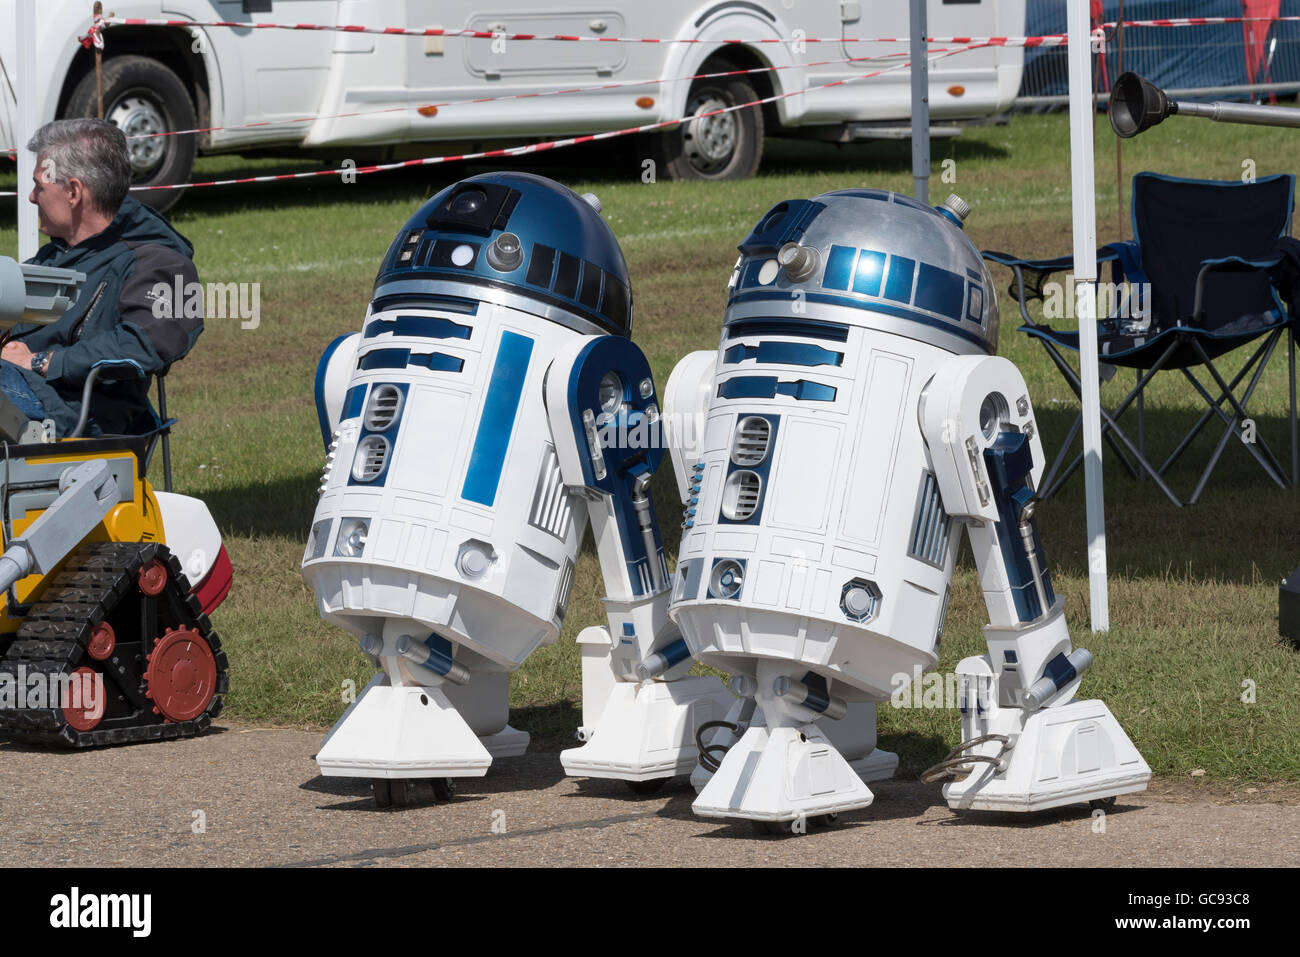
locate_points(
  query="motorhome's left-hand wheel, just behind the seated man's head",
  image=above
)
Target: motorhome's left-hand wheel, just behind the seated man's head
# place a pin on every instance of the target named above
(144, 97)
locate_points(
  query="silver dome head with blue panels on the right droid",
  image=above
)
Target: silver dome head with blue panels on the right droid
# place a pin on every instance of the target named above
(874, 259)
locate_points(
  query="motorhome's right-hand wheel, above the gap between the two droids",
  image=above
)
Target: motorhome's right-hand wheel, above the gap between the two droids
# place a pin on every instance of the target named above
(725, 146)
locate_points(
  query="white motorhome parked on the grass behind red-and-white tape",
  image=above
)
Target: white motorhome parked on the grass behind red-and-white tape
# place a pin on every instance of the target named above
(254, 88)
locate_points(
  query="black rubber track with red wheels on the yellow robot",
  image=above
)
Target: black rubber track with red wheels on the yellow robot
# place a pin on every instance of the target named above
(123, 651)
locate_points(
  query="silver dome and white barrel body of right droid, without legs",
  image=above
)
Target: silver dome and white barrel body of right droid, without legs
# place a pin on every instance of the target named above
(818, 536)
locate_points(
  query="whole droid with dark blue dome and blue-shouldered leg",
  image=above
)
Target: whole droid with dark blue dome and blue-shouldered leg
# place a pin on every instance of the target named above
(452, 516)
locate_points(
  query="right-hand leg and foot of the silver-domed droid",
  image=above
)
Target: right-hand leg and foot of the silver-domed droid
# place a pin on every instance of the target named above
(1029, 743)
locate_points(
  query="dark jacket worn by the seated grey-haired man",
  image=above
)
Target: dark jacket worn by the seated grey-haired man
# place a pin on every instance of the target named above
(116, 317)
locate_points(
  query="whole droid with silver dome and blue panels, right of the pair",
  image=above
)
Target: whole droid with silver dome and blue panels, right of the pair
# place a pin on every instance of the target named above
(855, 421)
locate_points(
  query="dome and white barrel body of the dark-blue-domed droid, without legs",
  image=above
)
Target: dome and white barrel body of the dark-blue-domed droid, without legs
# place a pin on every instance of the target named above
(444, 522)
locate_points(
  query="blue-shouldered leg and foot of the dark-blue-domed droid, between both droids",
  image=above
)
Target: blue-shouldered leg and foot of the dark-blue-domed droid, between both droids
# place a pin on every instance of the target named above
(640, 711)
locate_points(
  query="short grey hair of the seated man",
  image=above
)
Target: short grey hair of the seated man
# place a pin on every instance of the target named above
(93, 151)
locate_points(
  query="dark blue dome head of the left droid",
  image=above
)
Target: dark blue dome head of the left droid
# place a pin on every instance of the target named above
(522, 237)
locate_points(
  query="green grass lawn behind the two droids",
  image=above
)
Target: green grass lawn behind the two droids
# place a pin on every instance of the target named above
(1193, 591)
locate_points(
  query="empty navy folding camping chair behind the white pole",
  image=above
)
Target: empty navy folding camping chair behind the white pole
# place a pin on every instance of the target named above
(1203, 272)
